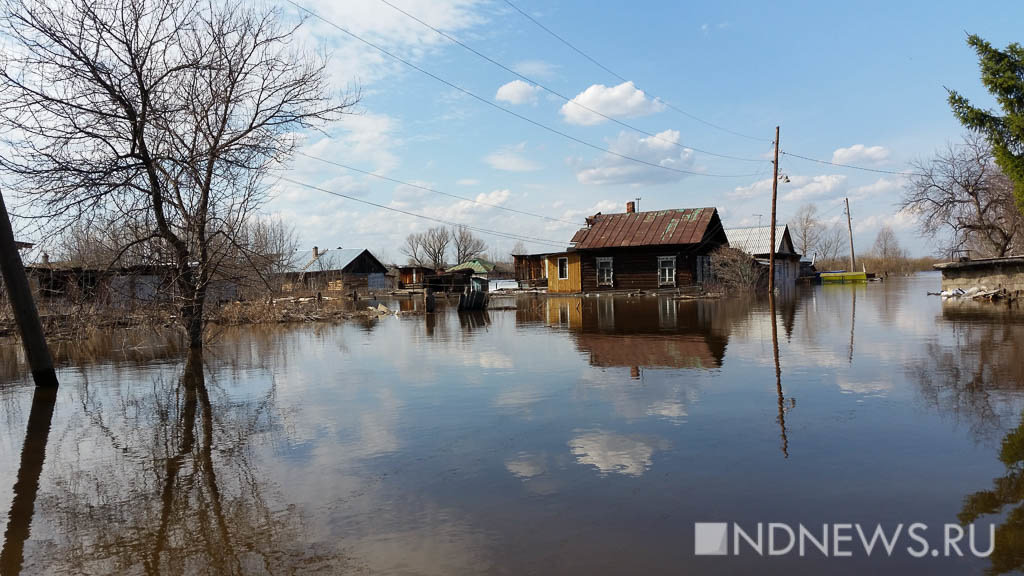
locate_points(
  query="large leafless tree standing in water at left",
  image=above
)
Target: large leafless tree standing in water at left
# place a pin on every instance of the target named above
(164, 114)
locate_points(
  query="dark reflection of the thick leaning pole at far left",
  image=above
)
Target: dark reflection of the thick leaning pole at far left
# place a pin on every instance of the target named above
(27, 487)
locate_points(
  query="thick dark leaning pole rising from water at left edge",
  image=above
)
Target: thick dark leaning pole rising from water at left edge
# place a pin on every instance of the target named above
(24, 307)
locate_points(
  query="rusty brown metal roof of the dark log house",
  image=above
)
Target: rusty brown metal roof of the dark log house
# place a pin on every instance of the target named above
(688, 226)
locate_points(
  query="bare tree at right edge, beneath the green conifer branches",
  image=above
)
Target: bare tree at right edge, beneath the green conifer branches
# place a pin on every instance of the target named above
(962, 193)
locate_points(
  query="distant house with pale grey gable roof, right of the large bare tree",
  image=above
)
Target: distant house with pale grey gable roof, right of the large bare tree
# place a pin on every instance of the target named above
(343, 270)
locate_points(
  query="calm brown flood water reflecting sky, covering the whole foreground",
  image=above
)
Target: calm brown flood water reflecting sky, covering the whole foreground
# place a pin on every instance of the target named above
(569, 436)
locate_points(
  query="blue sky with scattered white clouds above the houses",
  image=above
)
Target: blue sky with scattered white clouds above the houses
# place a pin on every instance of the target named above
(863, 84)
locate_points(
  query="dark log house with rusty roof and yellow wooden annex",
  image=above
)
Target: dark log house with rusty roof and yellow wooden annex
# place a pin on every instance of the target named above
(633, 251)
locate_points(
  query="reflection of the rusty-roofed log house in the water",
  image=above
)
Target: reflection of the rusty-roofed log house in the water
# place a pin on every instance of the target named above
(636, 333)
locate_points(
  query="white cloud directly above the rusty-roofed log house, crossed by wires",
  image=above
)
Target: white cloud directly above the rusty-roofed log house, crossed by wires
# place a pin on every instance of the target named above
(612, 170)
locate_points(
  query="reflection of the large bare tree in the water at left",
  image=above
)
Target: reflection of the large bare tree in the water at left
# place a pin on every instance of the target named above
(170, 486)
